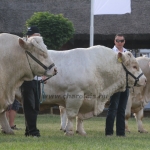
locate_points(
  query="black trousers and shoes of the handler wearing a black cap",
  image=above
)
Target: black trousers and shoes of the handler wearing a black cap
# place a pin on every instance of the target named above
(31, 105)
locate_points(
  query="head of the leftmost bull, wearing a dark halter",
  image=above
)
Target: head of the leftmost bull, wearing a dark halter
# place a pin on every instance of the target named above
(37, 56)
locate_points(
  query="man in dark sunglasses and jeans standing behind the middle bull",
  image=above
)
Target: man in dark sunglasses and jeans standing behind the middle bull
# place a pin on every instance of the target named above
(118, 101)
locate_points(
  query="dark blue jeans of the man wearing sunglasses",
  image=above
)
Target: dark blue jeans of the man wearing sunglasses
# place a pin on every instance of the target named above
(117, 107)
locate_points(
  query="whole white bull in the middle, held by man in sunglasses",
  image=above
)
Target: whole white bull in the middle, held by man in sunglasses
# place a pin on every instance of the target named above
(86, 80)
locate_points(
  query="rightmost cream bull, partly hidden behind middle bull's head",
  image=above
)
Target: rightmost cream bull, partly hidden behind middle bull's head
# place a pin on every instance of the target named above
(139, 96)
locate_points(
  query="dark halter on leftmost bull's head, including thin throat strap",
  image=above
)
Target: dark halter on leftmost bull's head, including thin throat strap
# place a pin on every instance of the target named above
(36, 60)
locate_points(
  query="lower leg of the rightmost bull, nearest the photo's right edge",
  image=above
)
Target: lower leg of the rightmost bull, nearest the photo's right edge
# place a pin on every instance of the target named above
(138, 117)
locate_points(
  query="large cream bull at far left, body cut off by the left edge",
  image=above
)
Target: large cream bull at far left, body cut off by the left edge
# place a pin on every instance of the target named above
(17, 65)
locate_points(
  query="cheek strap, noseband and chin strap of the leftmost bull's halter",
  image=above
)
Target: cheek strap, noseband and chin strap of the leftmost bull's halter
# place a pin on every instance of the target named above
(41, 64)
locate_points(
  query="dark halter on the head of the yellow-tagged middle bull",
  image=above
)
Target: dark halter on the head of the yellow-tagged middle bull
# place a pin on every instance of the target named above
(129, 73)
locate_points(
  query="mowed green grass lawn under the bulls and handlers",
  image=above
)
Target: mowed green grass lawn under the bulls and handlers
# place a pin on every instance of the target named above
(54, 139)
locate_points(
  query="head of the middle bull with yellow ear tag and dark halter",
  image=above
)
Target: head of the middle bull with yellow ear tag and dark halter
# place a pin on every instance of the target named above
(134, 75)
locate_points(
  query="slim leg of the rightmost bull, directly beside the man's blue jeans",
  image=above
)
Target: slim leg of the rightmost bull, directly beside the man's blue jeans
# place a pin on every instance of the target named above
(128, 113)
